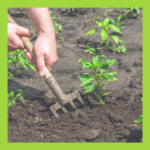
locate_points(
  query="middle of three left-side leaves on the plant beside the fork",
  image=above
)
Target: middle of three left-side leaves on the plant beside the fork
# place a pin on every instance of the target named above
(86, 79)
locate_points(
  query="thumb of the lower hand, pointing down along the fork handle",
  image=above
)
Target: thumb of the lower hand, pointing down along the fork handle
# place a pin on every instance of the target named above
(40, 65)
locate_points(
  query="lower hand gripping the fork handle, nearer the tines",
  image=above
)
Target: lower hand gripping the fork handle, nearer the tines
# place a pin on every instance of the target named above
(45, 50)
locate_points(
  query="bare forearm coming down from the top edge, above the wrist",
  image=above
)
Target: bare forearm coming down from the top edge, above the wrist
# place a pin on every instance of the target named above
(42, 20)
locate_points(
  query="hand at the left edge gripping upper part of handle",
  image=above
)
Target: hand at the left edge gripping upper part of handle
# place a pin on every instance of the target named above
(14, 41)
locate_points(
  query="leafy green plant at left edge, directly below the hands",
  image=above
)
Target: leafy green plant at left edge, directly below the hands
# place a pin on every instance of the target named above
(19, 61)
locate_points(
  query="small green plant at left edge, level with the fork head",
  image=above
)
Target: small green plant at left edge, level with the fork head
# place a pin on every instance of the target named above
(12, 97)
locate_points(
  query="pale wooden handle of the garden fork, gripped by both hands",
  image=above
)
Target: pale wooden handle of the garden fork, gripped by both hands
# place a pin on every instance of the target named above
(27, 43)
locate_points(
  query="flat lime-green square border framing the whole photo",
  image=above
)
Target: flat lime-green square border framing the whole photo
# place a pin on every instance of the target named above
(76, 3)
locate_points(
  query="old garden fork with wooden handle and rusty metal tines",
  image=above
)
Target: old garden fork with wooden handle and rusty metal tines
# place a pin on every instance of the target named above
(52, 83)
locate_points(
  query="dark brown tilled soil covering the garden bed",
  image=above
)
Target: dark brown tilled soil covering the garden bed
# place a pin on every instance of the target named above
(112, 122)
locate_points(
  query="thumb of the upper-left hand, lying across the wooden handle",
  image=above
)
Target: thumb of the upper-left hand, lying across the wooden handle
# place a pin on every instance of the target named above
(23, 31)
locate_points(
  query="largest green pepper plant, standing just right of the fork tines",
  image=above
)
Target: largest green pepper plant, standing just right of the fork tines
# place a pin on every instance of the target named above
(97, 73)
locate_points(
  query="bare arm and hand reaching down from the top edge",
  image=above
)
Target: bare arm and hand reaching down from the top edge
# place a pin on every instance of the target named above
(45, 48)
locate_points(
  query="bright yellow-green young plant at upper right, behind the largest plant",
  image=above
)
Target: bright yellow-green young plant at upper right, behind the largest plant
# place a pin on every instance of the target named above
(104, 32)
